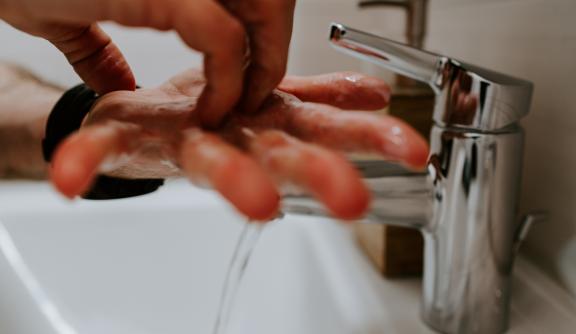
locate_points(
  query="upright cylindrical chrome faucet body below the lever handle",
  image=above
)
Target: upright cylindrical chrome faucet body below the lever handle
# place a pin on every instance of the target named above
(470, 241)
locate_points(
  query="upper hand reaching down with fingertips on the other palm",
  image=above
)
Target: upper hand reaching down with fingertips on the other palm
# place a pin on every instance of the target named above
(218, 28)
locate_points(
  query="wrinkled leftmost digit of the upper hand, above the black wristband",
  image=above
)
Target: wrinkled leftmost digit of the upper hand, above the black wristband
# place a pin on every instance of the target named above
(95, 58)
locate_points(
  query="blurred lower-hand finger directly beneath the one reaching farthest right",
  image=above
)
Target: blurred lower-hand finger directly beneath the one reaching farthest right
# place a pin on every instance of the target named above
(323, 173)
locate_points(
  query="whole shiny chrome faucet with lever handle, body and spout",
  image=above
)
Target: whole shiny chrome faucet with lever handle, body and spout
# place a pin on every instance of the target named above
(465, 204)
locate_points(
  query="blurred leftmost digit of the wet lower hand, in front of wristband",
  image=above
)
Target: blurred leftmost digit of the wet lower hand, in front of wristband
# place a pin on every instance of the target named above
(79, 158)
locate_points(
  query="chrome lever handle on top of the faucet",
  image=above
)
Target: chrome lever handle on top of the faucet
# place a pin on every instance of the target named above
(492, 101)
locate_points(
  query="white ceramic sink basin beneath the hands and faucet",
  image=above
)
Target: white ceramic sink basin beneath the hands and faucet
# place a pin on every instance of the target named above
(156, 265)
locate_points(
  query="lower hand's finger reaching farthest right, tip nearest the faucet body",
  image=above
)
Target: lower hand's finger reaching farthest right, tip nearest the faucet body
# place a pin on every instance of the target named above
(358, 132)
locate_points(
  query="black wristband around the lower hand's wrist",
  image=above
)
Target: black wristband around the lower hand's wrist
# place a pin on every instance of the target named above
(66, 118)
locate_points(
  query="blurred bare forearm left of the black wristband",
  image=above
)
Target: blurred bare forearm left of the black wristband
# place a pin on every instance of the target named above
(25, 103)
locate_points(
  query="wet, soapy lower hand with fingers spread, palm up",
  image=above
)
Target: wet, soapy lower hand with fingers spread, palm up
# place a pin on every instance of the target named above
(155, 133)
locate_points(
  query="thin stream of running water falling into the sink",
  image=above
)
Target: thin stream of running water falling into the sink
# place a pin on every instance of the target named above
(236, 269)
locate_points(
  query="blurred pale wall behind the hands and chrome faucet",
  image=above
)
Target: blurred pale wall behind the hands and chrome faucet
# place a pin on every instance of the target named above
(531, 39)
